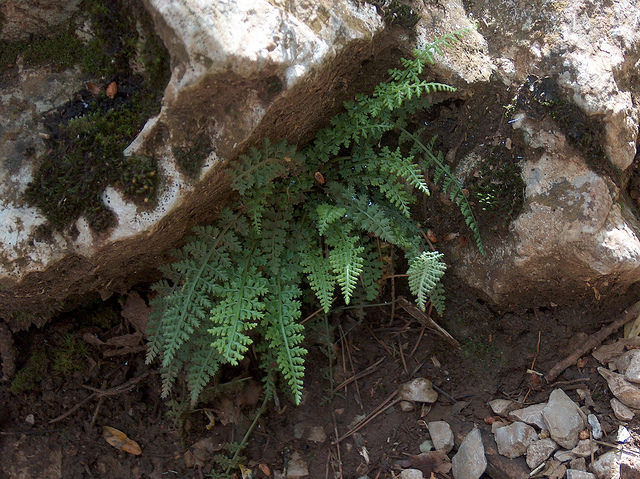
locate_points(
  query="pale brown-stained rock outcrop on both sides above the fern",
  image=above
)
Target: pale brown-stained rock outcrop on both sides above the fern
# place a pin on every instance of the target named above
(245, 71)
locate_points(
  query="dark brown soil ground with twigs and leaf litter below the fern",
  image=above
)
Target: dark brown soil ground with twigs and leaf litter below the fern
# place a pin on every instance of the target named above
(496, 350)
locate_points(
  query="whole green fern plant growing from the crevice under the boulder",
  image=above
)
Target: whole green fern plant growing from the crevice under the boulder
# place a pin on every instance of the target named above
(316, 217)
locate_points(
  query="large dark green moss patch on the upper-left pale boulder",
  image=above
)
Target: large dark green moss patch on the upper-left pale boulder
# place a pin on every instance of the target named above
(89, 133)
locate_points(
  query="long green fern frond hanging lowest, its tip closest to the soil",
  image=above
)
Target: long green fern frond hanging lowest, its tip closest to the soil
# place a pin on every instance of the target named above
(284, 334)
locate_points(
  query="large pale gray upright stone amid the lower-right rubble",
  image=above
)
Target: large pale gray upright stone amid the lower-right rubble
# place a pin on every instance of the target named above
(562, 419)
